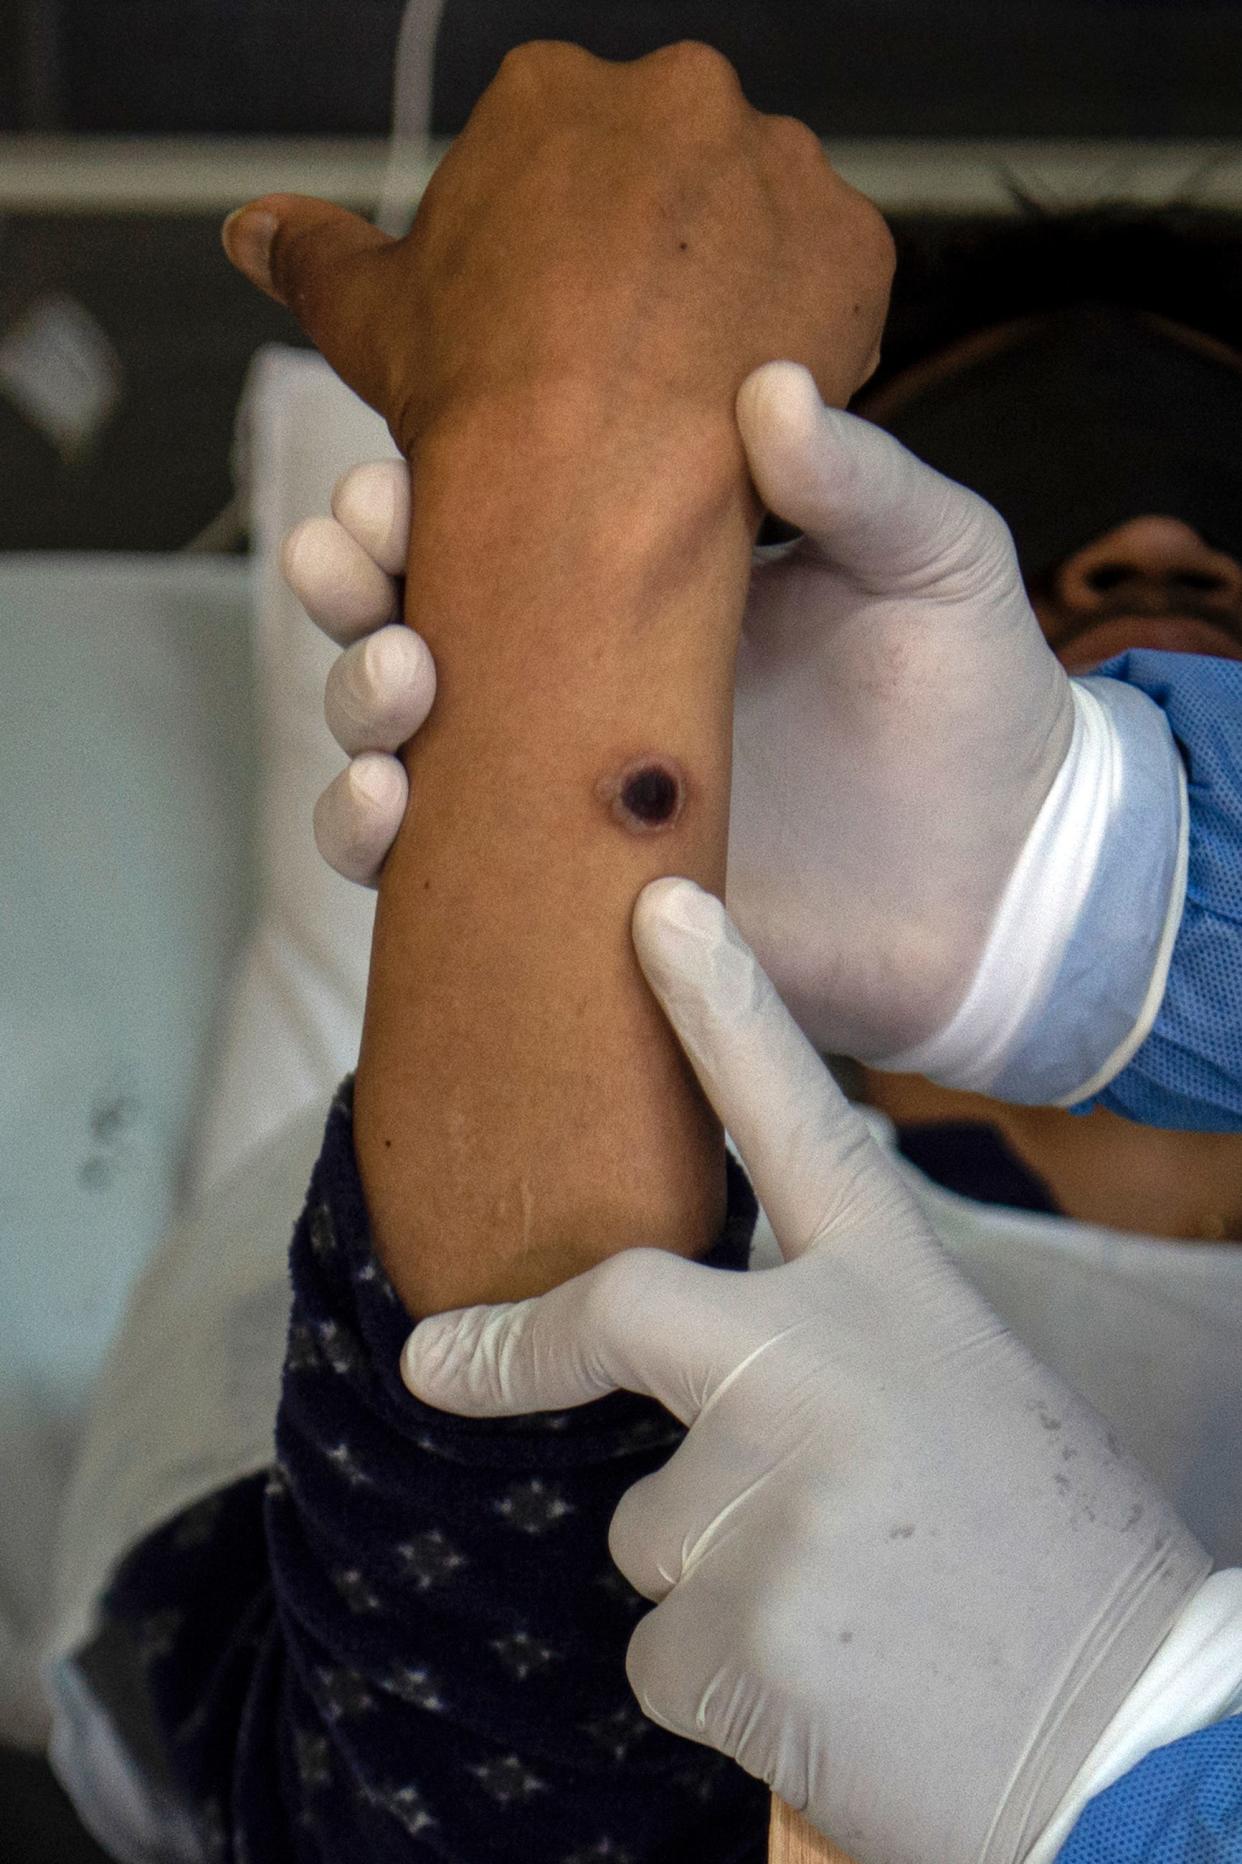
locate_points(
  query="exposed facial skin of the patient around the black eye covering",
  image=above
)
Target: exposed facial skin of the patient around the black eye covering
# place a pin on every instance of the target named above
(1148, 582)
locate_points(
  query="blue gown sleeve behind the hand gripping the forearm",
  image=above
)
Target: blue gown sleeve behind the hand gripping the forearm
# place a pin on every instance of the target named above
(1189, 1071)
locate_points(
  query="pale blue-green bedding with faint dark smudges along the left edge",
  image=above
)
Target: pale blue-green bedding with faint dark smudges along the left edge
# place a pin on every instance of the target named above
(126, 761)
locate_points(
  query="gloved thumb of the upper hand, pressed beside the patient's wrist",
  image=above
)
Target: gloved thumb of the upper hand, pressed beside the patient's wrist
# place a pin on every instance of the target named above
(864, 500)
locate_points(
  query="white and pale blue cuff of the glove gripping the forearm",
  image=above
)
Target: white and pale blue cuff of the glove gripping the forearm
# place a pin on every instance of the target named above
(1079, 953)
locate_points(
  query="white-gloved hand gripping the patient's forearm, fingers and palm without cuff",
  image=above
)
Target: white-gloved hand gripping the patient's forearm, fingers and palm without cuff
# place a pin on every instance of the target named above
(900, 717)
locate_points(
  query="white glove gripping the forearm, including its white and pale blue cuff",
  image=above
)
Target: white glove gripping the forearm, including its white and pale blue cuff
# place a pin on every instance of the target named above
(930, 825)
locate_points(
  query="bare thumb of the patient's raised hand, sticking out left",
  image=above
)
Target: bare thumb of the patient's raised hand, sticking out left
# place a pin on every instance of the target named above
(327, 267)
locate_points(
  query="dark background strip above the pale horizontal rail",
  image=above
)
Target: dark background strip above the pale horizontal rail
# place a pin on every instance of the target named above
(851, 68)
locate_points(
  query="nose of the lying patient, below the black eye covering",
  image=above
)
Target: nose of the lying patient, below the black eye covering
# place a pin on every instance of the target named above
(1153, 560)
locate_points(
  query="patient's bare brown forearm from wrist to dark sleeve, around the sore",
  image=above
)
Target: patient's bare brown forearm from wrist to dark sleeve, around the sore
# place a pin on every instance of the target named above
(521, 1106)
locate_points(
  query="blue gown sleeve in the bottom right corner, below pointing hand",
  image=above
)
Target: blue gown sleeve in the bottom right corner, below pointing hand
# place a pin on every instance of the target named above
(1181, 1805)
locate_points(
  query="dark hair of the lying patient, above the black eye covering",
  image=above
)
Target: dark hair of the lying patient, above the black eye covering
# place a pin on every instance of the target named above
(958, 275)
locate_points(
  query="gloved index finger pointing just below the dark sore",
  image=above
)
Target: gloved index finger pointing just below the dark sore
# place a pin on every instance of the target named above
(810, 1157)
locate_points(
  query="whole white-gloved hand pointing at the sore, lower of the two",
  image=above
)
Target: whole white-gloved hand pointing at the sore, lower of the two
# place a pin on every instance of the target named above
(902, 1572)
